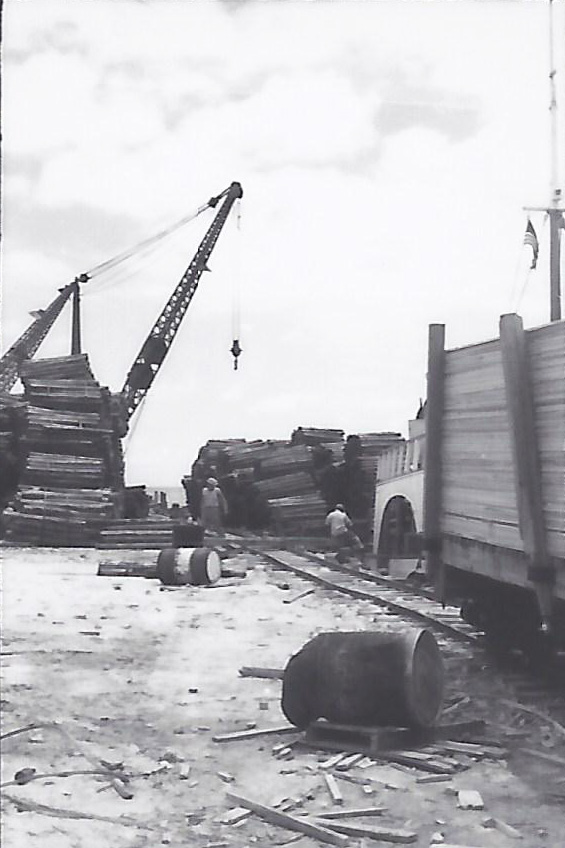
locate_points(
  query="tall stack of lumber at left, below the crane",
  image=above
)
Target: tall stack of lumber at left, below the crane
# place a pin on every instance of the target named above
(72, 480)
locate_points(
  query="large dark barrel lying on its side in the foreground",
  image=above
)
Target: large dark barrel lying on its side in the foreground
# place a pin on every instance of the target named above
(369, 679)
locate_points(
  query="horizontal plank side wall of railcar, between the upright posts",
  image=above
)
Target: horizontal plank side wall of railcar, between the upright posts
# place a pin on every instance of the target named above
(479, 495)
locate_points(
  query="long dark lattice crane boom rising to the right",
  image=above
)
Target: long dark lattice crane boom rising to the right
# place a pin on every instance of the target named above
(161, 336)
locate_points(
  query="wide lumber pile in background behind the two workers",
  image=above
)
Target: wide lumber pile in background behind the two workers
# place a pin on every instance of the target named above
(289, 485)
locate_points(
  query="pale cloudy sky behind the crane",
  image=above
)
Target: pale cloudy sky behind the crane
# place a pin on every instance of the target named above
(386, 150)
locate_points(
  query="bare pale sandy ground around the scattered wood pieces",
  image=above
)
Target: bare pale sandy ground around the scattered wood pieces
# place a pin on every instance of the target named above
(145, 675)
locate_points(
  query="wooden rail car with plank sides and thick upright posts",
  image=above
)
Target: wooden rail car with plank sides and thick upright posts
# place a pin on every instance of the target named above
(494, 479)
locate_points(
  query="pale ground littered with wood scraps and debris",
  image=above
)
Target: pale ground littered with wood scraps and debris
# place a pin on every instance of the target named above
(166, 710)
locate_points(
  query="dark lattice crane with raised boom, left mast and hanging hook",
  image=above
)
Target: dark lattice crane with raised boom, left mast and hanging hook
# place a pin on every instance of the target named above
(156, 345)
